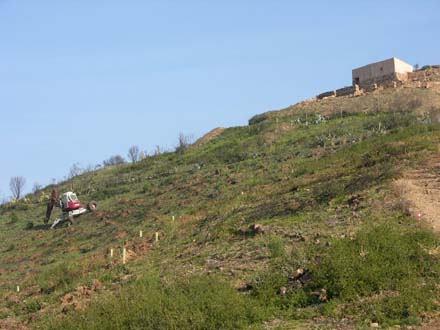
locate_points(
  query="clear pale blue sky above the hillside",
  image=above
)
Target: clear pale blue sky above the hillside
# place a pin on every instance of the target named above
(83, 80)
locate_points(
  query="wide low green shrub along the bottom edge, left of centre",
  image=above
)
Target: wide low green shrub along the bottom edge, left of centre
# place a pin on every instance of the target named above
(194, 303)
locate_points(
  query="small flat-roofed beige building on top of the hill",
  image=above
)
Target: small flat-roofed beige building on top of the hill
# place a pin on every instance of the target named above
(368, 74)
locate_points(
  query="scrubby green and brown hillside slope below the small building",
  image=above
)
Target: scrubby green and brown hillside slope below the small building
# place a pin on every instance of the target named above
(316, 177)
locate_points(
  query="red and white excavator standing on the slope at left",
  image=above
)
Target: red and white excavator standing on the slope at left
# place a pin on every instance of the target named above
(70, 206)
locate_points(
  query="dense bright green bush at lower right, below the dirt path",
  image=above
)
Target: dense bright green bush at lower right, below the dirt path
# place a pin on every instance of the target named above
(377, 259)
